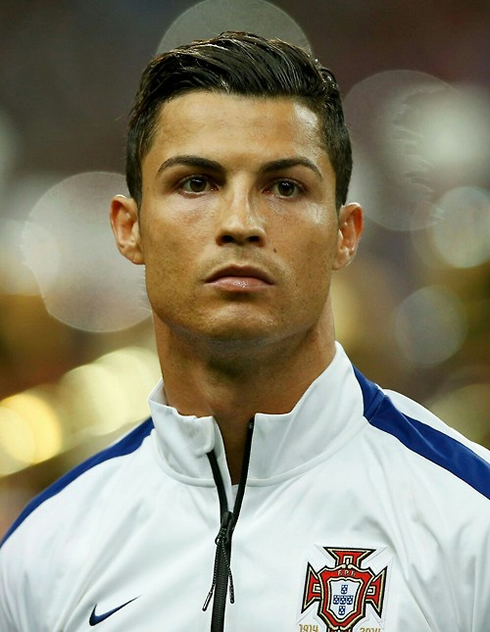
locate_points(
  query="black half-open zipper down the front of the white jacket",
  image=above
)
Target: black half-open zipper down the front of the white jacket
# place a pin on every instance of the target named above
(222, 576)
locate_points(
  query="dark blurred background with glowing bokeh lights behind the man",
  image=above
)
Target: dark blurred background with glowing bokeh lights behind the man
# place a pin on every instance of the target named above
(77, 358)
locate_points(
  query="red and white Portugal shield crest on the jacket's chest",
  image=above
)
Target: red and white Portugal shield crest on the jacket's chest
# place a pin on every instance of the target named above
(342, 593)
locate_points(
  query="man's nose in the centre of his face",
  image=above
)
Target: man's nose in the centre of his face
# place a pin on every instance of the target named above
(240, 220)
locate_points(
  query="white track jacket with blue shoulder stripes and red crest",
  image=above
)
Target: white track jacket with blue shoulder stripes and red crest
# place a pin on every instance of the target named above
(362, 512)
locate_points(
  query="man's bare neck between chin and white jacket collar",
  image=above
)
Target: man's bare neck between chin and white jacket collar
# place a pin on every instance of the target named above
(234, 381)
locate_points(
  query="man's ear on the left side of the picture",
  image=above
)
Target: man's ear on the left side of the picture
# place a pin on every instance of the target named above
(126, 229)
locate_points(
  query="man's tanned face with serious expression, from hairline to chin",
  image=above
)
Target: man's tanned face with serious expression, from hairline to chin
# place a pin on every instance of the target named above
(237, 227)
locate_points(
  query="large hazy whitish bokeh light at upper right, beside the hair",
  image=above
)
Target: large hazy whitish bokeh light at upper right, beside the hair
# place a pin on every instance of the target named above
(413, 136)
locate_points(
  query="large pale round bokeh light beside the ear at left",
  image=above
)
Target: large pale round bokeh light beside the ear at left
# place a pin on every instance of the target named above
(69, 246)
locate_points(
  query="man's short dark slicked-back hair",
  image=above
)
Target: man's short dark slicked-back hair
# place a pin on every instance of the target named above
(241, 64)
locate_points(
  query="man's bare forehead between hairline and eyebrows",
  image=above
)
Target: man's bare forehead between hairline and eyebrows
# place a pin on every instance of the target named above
(204, 121)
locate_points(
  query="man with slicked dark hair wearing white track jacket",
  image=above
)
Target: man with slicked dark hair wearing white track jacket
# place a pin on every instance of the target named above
(274, 488)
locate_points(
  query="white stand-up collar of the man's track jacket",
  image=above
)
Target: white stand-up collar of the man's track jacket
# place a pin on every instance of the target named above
(328, 414)
